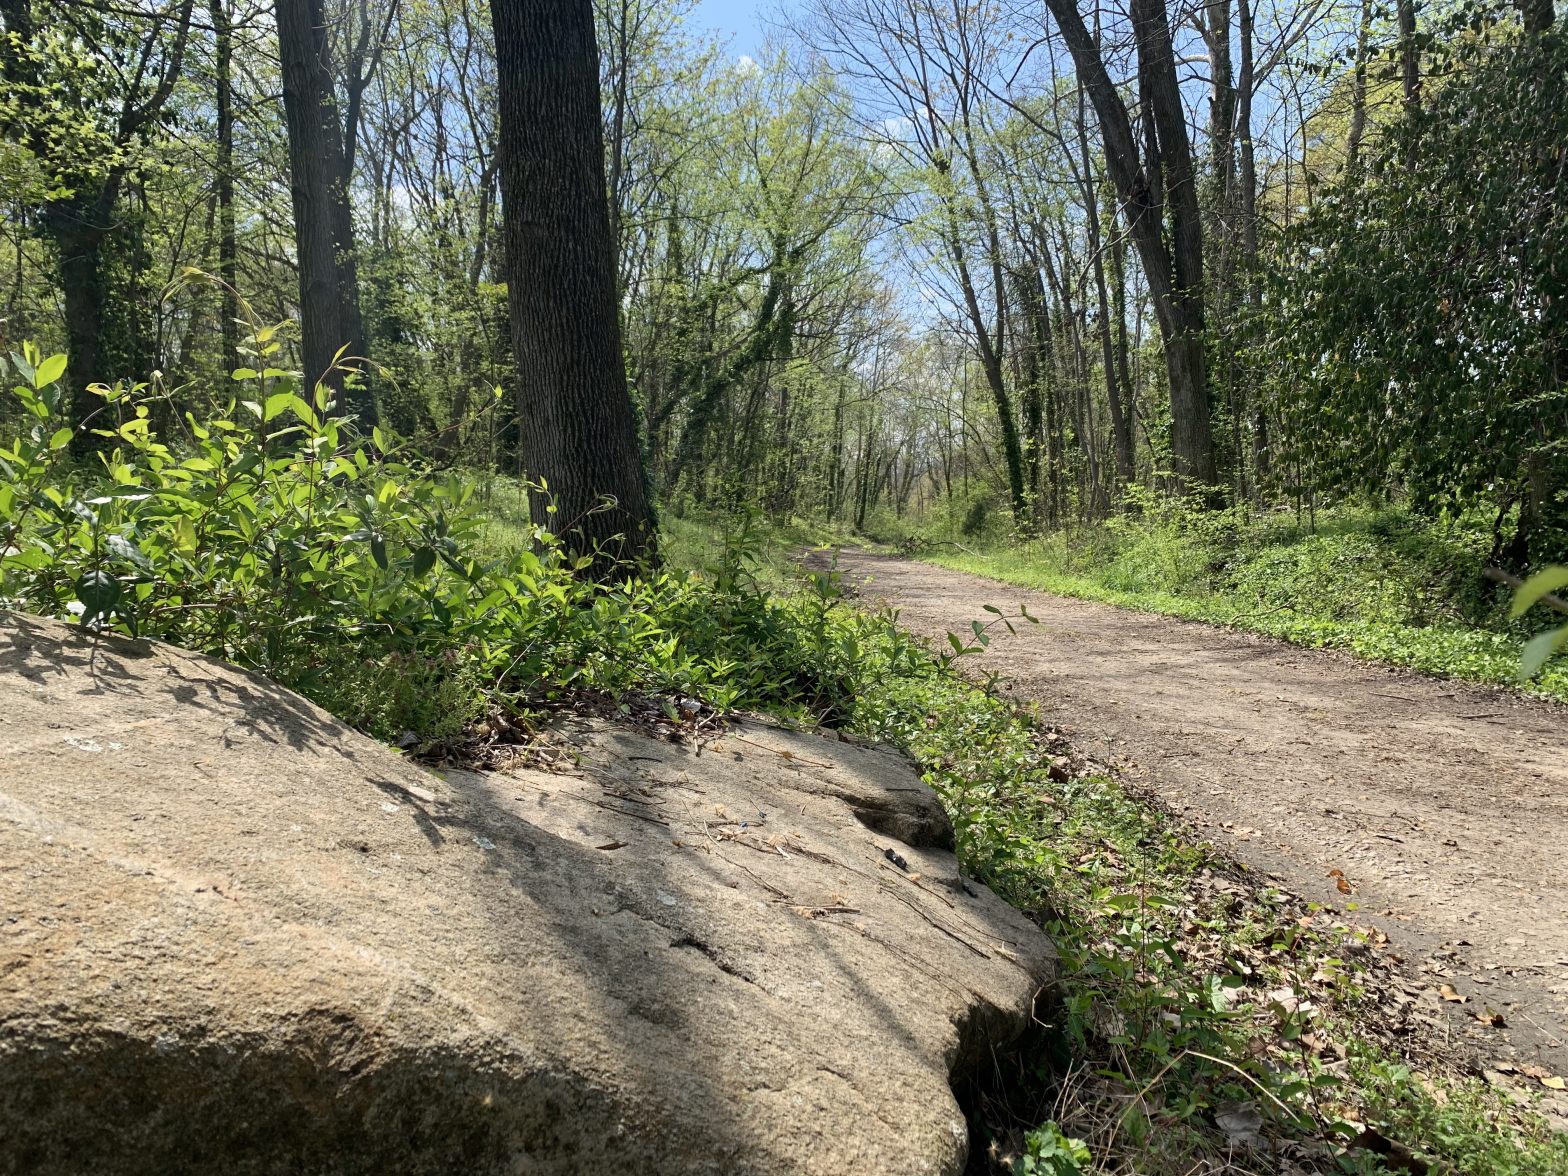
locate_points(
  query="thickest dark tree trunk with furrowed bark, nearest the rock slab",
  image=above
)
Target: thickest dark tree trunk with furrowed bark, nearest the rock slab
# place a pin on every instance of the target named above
(579, 429)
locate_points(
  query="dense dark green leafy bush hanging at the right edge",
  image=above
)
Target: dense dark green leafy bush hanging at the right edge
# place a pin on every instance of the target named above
(1445, 374)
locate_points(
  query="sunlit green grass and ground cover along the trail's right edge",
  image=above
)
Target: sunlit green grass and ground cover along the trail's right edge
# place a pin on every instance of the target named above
(1381, 586)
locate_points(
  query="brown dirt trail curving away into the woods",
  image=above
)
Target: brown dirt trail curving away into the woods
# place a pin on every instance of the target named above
(1443, 805)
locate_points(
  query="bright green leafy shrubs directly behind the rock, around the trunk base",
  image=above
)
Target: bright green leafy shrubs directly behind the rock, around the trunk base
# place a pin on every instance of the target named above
(277, 537)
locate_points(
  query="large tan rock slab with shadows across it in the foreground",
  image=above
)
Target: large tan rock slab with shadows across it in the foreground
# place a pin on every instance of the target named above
(236, 937)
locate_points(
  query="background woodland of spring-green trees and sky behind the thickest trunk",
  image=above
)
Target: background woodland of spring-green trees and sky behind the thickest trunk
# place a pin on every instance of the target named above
(960, 267)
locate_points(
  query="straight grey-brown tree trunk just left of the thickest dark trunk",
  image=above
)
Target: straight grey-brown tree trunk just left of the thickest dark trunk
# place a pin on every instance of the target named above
(324, 227)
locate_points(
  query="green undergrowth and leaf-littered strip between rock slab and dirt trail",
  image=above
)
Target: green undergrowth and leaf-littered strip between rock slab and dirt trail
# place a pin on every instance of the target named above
(1203, 1020)
